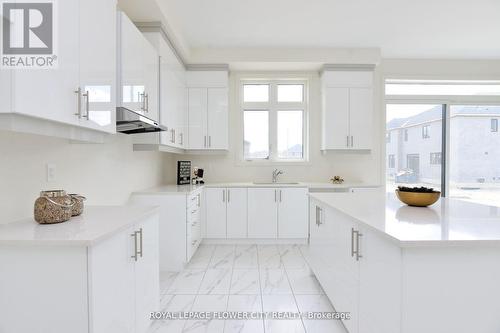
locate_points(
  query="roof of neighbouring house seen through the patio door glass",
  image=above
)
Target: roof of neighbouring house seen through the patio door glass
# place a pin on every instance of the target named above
(435, 114)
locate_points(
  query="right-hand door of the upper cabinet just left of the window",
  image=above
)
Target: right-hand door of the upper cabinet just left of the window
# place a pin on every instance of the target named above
(217, 118)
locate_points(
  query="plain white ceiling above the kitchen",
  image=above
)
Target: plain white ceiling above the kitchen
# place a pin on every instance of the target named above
(400, 28)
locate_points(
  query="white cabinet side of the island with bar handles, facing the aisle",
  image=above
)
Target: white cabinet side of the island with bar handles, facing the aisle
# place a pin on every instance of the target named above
(361, 273)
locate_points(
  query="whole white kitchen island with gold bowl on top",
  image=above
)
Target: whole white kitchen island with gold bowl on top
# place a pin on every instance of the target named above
(406, 269)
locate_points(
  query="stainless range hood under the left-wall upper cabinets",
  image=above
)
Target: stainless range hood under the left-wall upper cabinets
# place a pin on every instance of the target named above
(131, 122)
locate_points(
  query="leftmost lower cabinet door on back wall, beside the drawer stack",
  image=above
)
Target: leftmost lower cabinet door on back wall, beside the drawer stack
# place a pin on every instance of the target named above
(215, 199)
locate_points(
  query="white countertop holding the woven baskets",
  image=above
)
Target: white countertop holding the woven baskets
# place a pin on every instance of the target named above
(95, 224)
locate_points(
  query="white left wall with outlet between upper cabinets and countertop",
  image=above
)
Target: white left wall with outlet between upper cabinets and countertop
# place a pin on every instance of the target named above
(104, 173)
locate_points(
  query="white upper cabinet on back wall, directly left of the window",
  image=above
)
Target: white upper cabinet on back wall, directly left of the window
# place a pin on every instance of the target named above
(208, 110)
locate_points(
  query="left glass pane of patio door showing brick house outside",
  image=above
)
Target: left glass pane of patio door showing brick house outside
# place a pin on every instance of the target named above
(414, 149)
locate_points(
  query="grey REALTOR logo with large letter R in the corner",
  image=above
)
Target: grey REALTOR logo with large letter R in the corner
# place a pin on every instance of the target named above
(28, 34)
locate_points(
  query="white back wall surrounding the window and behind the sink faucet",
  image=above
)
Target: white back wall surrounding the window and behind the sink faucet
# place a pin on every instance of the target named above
(351, 166)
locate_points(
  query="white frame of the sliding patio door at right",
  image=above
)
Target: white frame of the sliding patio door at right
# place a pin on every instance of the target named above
(447, 102)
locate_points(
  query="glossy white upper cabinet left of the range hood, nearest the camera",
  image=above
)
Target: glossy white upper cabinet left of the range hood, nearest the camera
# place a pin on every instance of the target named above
(80, 90)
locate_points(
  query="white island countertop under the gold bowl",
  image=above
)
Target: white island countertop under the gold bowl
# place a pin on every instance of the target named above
(447, 222)
